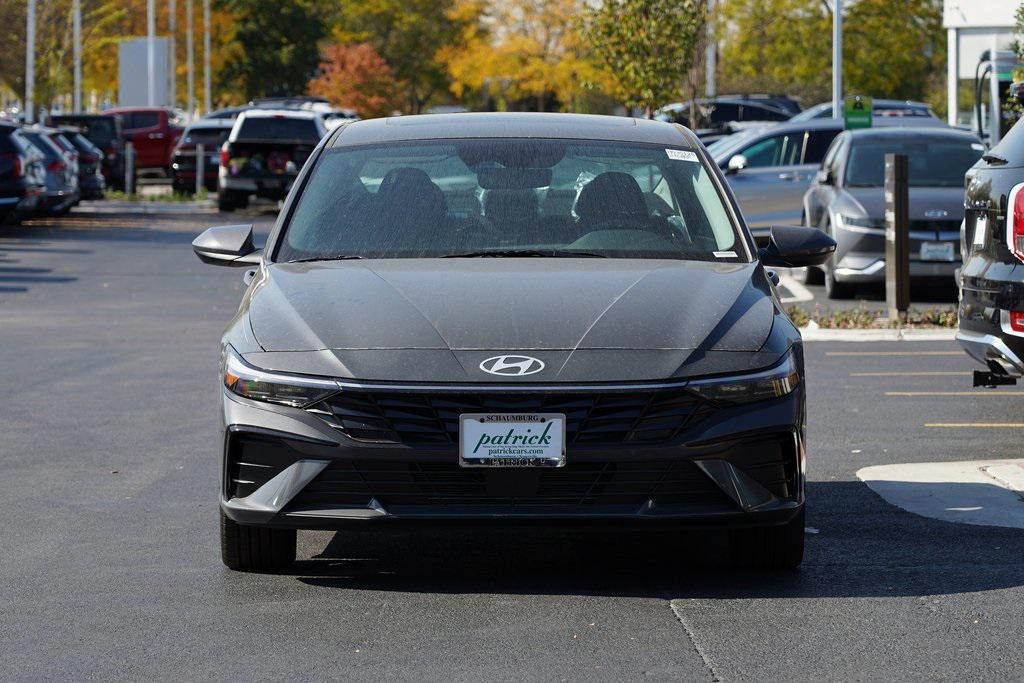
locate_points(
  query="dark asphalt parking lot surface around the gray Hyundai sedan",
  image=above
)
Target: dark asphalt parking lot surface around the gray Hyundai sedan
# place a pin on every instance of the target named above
(109, 330)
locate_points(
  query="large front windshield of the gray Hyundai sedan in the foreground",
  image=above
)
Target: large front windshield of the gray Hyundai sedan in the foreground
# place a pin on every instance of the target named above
(500, 197)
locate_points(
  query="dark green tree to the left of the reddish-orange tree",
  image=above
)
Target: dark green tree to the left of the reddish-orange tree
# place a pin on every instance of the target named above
(277, 46)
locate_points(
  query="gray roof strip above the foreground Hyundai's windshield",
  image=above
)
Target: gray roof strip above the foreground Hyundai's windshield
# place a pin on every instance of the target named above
(504, 124)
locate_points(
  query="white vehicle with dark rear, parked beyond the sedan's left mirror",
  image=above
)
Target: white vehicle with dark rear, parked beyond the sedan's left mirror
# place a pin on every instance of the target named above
(264, 155)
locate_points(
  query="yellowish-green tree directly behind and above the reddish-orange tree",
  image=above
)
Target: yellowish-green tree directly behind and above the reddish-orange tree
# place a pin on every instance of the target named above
(409, 34)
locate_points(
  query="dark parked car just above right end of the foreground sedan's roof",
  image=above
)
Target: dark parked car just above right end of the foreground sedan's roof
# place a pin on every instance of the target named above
(717, 117)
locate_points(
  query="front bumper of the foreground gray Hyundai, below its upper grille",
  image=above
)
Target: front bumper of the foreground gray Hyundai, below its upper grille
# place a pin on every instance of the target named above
(738, 466)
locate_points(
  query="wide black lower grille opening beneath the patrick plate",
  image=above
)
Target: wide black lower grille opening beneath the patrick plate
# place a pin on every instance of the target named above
(396, 485)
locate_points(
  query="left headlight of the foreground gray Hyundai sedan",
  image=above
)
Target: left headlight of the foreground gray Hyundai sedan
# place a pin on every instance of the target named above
(248, 382)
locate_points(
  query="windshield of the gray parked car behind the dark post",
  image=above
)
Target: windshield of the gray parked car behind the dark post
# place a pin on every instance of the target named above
(931, 163)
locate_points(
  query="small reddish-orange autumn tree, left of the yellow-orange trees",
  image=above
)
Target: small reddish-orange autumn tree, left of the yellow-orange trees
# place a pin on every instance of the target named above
(357, 77)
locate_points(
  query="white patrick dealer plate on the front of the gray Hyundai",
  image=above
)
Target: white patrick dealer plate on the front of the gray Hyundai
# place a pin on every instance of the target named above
(535, 440)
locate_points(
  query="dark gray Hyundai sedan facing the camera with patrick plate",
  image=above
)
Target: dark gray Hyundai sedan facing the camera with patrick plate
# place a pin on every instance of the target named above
(501, 318)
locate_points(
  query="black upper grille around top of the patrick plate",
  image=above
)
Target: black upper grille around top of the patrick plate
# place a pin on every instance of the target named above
(593, 419)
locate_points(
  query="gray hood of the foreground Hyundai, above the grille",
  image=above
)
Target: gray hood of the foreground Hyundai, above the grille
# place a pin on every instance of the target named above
(587, 320)
